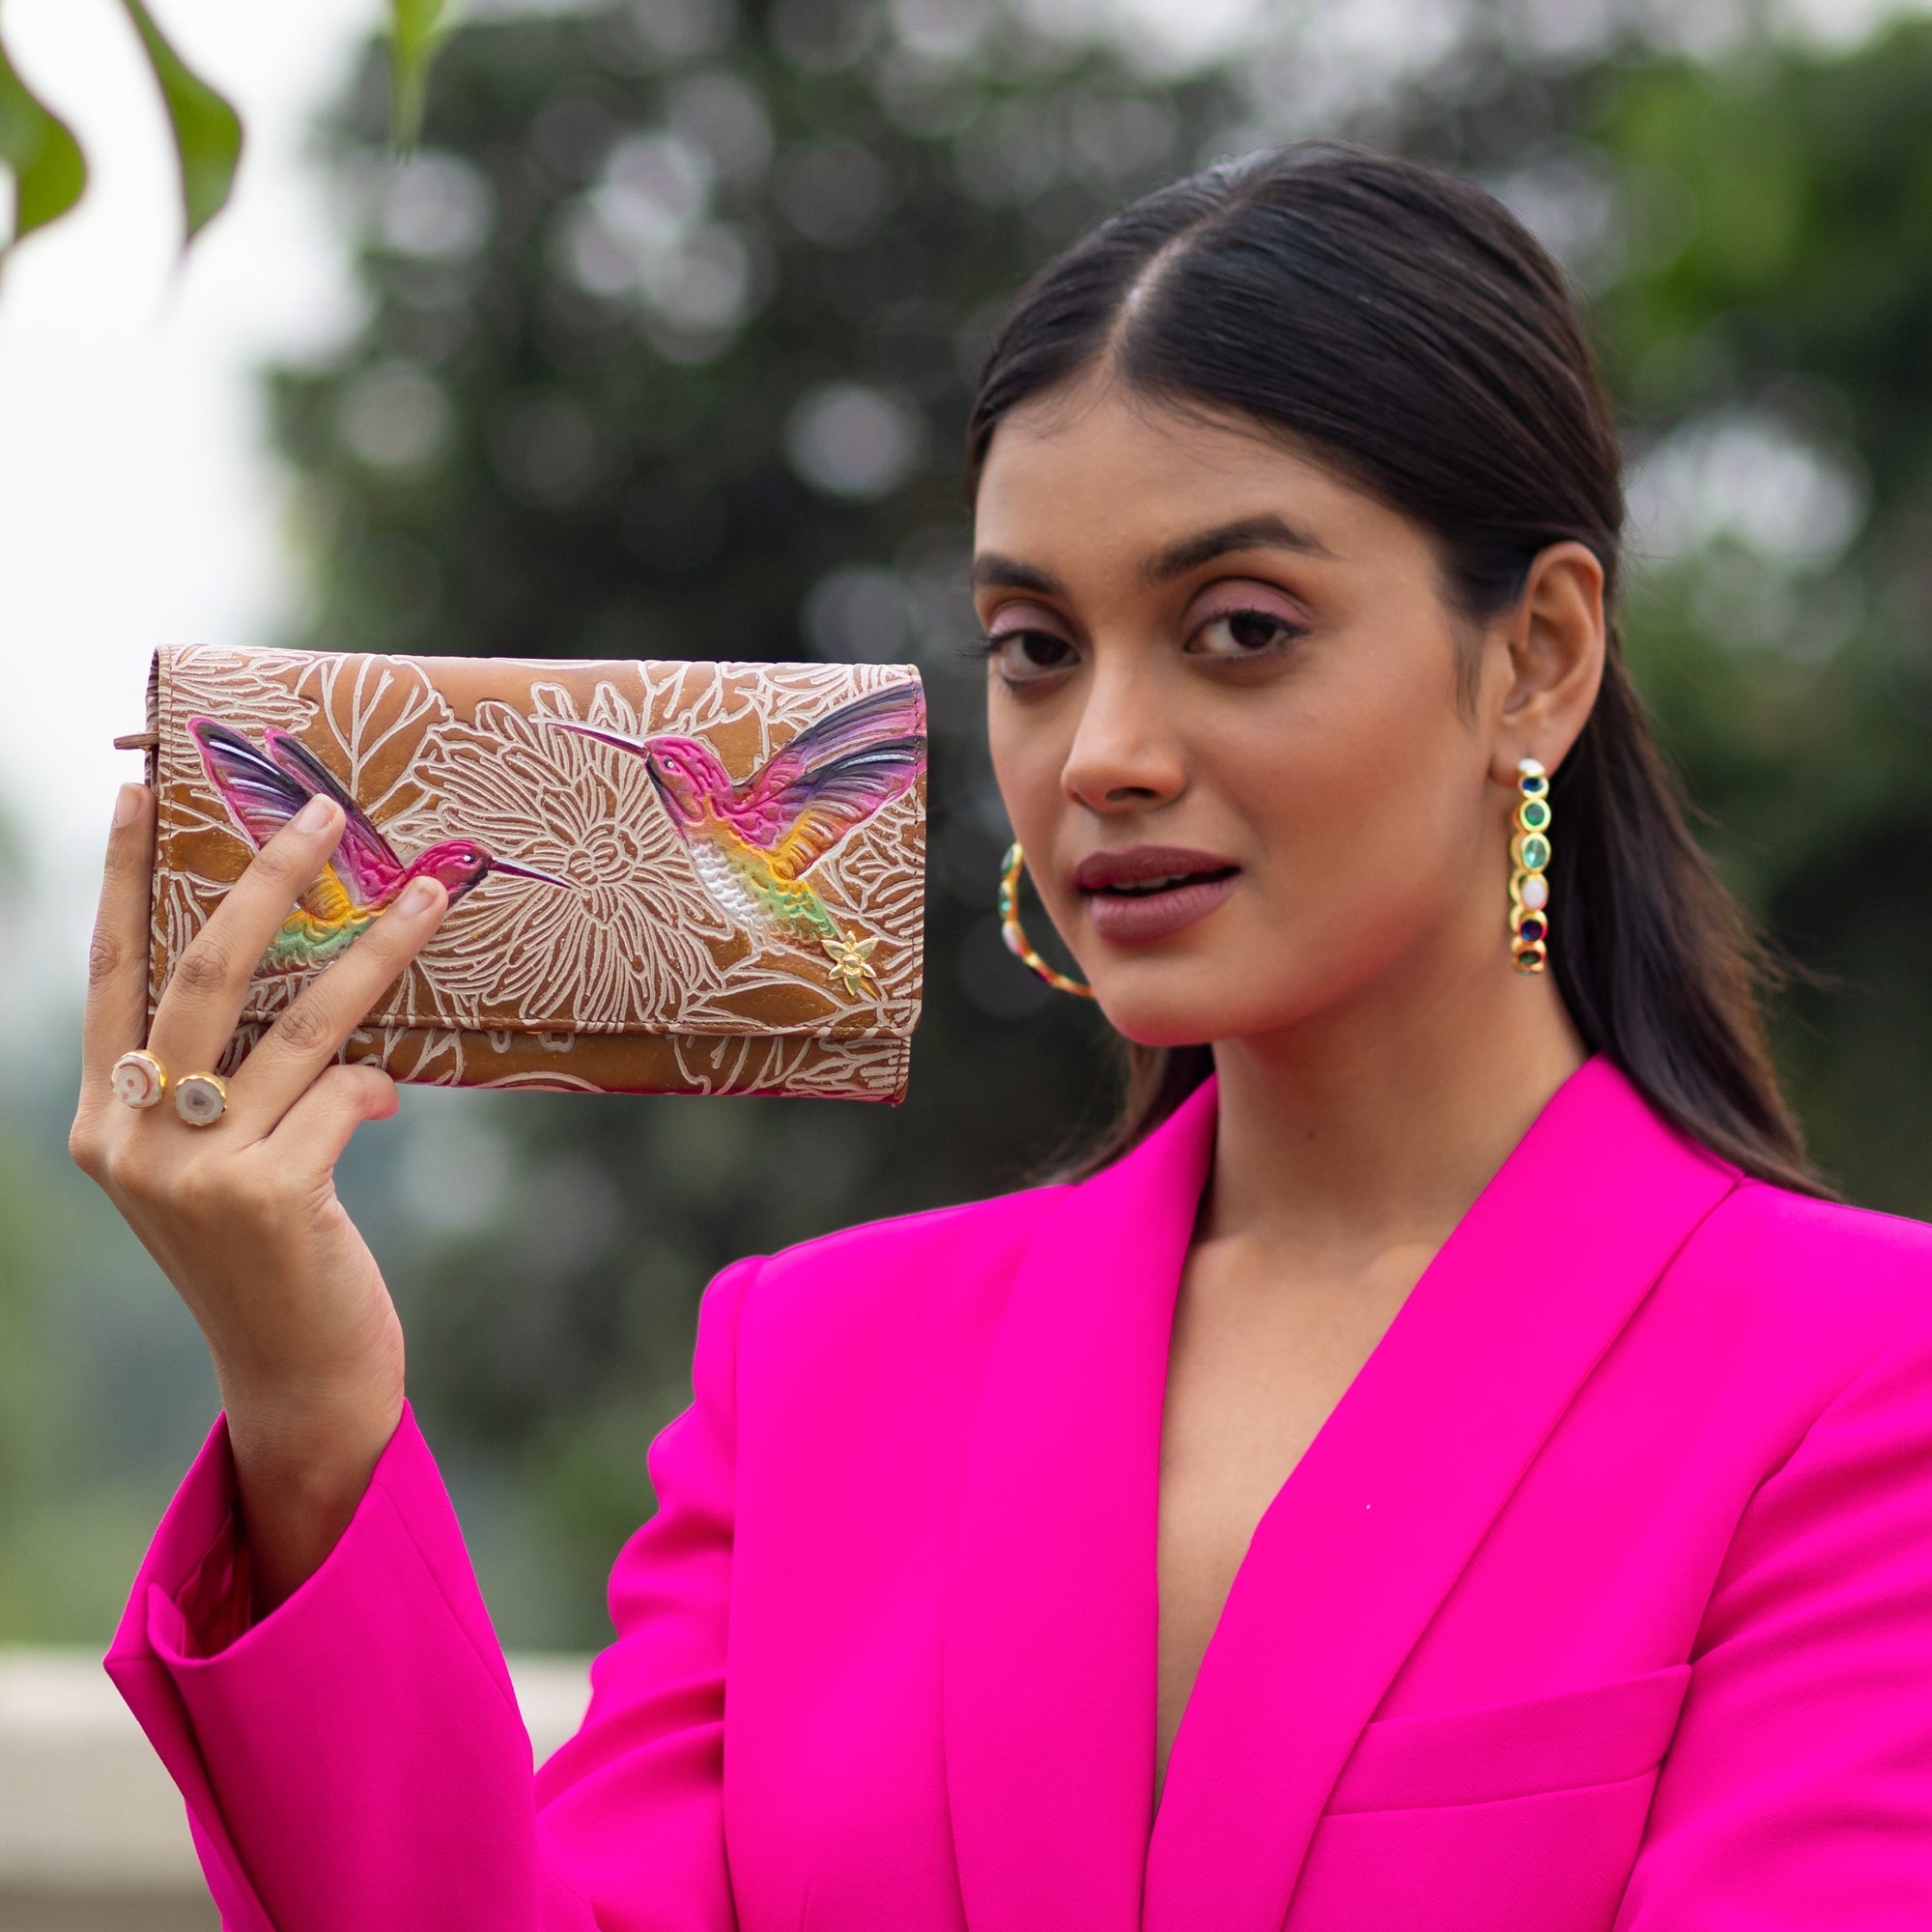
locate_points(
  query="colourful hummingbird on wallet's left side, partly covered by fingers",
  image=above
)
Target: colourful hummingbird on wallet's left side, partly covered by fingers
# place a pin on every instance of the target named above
(266, 789)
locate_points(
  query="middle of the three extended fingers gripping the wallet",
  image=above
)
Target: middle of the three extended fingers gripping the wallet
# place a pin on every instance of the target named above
(202, 1004)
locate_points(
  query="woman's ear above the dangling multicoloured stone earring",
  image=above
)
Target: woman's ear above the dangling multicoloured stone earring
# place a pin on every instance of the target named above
(1554, 637)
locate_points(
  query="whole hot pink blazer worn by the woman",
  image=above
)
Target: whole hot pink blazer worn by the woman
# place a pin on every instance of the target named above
(1603, 1601)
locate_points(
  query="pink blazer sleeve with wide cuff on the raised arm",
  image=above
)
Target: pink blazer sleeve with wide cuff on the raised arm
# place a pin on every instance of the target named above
(356, 1757)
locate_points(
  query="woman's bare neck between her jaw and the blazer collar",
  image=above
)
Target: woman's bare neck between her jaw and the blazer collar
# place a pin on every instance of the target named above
(1378, 1125)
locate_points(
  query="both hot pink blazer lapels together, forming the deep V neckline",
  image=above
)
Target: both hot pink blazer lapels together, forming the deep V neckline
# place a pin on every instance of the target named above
(1050, 1670)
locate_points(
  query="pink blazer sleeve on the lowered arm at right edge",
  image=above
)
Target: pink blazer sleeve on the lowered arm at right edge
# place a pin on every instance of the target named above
(1798, 1792)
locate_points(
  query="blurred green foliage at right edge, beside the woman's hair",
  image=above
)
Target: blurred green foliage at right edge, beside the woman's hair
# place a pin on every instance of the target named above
(1792, 654)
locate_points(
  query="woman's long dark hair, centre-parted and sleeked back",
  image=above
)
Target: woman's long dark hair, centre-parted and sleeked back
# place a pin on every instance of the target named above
(1411, 333)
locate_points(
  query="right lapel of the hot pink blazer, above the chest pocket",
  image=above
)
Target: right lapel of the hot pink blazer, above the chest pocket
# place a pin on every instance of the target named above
(1380, 1518)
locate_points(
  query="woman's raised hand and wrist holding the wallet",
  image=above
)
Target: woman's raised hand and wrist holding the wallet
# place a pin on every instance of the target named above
(244, 1216)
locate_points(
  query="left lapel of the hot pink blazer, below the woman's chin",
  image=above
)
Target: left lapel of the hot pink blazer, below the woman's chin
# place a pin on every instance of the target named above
(1050, 1647)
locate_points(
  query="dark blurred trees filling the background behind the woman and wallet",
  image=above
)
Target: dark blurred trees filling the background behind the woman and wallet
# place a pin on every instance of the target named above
(669, 339)
